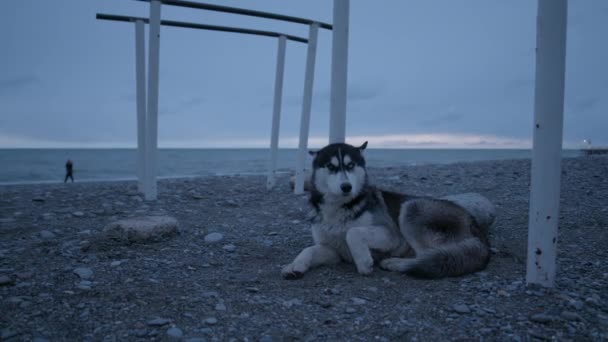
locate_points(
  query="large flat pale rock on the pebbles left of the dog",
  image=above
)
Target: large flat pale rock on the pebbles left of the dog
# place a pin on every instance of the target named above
(142, 229)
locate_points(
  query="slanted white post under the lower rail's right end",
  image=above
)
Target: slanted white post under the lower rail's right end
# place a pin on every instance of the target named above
(276, 114)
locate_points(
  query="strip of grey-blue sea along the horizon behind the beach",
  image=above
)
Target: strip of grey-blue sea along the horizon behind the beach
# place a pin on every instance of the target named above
(23, 166)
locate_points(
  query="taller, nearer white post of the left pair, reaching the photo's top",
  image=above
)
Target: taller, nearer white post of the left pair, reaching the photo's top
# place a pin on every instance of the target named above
(152, 117)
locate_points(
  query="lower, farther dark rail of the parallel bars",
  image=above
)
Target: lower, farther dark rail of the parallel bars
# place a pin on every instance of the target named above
(114, 17)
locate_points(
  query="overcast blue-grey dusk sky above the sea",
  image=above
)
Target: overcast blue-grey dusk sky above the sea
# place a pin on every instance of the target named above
(421, 73)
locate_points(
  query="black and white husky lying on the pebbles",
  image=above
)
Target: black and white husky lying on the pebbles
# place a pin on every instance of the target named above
(358, 223)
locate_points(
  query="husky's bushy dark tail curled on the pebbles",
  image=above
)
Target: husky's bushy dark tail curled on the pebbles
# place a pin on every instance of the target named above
(451, 260)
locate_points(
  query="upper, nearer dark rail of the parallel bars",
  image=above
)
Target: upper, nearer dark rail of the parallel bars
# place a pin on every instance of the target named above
(242, 11)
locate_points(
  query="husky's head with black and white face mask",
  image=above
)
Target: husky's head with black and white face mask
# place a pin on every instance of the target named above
(339, 172)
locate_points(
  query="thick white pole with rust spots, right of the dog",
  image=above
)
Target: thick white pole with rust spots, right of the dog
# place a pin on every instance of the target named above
(547, 149)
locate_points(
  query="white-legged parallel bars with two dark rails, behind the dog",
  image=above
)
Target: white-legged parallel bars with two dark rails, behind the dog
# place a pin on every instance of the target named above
(148, 122)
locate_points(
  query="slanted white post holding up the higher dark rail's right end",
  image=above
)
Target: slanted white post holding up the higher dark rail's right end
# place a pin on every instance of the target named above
(306, 107)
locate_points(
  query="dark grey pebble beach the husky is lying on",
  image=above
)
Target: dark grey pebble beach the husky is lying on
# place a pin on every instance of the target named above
(218, 278)
